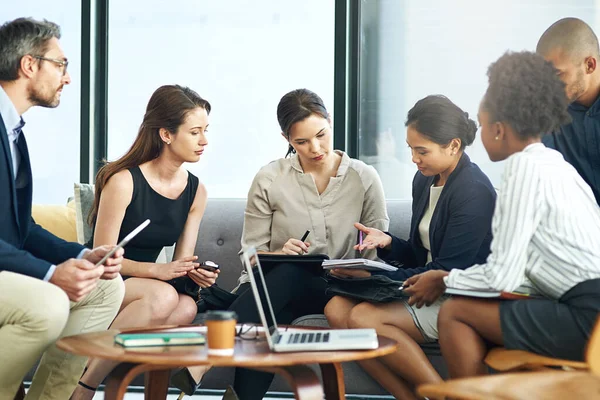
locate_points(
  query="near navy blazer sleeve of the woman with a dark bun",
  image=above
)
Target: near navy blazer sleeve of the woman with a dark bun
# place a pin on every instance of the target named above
(468, 227)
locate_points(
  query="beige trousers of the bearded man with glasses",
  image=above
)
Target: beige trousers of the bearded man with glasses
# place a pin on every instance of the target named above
(33, 315)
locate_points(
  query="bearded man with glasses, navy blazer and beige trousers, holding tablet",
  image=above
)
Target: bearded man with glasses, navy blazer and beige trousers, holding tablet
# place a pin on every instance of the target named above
(40, 273)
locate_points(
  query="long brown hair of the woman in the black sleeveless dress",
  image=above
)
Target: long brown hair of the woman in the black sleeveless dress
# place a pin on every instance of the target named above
(168, 108)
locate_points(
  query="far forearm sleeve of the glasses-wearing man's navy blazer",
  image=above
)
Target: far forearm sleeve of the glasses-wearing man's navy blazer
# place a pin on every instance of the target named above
(43, 244)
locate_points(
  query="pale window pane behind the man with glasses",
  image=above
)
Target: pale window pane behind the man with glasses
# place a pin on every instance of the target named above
(53, 135)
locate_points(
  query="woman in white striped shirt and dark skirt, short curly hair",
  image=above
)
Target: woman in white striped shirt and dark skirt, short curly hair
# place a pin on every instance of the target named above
(546, 230)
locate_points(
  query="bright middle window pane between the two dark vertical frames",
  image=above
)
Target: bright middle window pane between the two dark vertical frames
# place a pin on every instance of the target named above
(240, 56)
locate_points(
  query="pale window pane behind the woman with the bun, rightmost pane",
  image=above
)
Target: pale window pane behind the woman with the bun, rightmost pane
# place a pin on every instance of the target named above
(411, 48)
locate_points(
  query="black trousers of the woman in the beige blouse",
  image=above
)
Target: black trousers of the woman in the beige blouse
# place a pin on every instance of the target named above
(294, 291)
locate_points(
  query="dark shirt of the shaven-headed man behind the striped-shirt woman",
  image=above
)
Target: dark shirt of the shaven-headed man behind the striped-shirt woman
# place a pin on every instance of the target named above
(579, 143)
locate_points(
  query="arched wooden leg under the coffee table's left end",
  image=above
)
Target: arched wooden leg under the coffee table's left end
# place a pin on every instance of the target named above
(156, 381)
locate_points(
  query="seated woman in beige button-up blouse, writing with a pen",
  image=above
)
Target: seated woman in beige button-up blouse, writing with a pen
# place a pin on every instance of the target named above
(314, 188)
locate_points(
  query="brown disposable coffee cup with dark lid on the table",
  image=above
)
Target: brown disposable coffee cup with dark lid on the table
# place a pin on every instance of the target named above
(220, 335)
